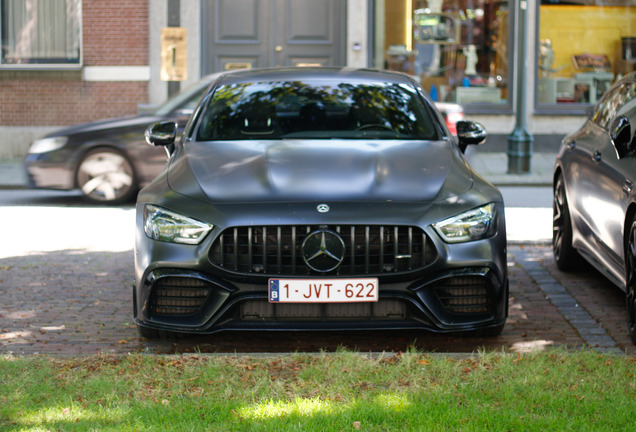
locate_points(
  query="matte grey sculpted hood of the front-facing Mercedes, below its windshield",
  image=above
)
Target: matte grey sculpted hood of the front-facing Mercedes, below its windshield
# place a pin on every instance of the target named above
(318, 170)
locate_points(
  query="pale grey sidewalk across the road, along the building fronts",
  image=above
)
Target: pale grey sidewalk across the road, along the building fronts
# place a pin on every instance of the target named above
(493, 166)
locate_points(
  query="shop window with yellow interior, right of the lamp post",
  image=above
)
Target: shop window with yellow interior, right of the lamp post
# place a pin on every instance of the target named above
(583, 47)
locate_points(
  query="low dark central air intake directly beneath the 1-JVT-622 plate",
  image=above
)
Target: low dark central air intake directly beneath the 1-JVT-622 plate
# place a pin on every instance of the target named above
(261, 310)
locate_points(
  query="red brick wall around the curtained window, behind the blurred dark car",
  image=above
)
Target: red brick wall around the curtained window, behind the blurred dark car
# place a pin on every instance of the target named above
(115, 33)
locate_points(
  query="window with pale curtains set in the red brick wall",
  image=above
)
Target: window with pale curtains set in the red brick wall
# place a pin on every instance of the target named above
(40, 32)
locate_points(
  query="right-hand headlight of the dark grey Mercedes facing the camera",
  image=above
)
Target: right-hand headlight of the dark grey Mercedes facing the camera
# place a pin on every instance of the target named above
(476, 224)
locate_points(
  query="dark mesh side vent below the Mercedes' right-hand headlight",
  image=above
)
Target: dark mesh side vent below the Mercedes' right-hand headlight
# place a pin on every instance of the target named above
(464, 294)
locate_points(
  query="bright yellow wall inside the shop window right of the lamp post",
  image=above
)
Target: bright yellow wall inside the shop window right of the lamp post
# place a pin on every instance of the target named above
(577, 30)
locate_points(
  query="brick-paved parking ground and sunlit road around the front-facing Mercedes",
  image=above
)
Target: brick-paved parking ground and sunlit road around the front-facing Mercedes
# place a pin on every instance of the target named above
(66, 278)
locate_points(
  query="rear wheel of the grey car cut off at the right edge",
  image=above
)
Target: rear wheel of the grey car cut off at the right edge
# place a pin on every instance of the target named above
(566, 257)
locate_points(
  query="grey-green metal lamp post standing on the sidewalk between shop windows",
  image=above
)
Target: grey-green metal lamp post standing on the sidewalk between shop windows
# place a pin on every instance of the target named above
(520, 140)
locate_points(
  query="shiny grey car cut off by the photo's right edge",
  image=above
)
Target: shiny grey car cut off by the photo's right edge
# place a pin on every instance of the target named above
(594, 193)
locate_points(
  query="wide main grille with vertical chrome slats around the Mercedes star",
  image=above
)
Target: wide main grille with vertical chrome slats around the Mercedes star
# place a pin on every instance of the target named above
(276, 250)
